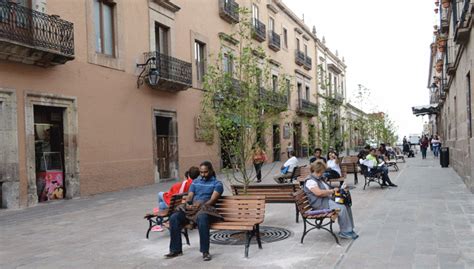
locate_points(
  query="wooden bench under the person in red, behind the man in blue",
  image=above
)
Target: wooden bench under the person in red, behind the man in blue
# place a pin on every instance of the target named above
(163, 216)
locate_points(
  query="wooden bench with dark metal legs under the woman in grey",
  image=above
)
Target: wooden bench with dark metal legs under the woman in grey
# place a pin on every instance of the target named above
(320, 221)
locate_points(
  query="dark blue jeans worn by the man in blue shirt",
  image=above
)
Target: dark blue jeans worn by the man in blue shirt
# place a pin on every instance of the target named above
(176, 222)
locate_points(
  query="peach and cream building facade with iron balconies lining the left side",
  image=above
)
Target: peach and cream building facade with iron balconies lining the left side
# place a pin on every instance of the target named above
(107, 92)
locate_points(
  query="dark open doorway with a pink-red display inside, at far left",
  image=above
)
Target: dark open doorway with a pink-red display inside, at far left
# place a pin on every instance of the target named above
(49, 152)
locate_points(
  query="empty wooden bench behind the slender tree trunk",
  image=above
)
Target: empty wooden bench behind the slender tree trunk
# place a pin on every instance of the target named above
(274, 193)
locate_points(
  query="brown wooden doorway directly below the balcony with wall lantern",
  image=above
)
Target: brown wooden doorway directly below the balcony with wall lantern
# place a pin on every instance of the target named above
(166, 146)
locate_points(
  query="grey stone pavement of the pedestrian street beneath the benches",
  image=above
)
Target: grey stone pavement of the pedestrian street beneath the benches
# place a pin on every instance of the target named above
(427, 222)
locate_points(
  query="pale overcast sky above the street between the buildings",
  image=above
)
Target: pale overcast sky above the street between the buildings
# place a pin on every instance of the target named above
(386, 47)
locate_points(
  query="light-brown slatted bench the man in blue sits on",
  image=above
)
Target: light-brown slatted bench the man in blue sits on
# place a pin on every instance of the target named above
(241, 213)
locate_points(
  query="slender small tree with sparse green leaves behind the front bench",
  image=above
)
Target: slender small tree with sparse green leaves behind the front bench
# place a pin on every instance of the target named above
(235, 102)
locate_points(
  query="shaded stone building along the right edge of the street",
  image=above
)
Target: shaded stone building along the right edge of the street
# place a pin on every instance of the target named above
(451, 85)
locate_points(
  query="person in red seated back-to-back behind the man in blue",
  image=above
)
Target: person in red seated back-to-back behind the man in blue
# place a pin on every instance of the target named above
(177, 188)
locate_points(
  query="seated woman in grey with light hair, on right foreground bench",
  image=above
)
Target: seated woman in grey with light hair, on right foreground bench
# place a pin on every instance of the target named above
(320, 197)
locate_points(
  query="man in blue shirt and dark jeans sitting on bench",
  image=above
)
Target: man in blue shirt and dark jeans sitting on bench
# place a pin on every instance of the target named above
(203, 194)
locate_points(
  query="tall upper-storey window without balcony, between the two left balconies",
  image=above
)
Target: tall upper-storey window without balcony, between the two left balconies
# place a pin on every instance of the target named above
(104, 27)
